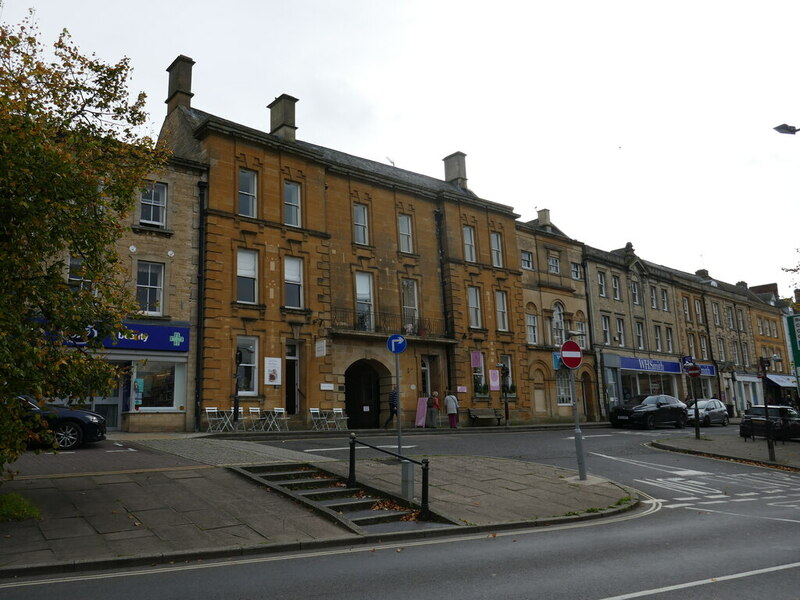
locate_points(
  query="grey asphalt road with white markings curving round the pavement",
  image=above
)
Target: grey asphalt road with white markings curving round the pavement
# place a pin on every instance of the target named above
(712, 529)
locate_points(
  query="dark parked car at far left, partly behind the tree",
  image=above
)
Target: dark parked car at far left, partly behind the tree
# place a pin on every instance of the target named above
(70, 427)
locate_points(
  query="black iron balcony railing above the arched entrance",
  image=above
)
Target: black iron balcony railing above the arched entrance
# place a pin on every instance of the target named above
(347, 319)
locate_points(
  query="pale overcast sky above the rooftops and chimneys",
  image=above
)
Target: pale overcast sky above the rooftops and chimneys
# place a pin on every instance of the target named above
(638, 121)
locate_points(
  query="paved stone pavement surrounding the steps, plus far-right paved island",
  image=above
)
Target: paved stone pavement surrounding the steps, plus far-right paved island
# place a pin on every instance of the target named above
(192, 507)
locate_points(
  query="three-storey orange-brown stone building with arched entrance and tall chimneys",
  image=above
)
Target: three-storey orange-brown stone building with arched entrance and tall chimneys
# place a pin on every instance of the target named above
(312, 257)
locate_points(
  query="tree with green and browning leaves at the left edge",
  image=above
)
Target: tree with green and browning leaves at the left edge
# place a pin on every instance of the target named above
(72, 159)
